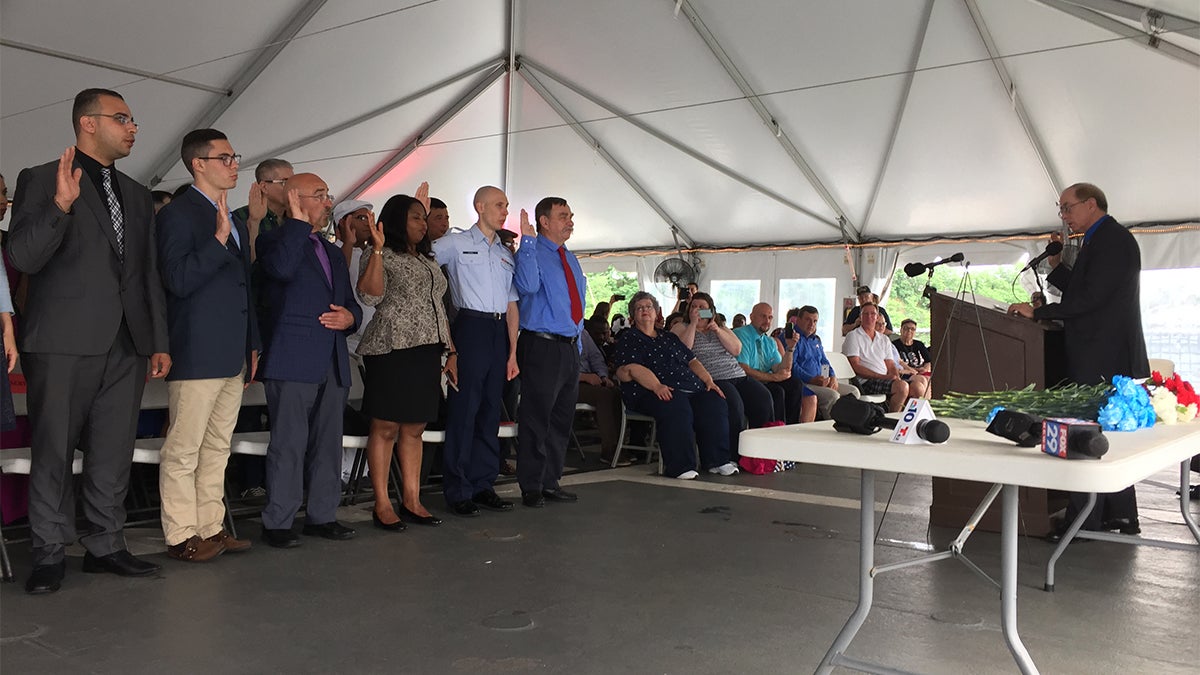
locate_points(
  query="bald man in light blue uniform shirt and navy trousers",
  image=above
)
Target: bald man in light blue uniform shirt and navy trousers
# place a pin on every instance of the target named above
(485, 333)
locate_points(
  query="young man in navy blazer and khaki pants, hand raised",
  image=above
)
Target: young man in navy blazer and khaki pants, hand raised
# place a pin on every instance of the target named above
(205, 258)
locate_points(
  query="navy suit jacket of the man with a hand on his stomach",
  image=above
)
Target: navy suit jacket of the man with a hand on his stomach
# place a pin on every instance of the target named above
(299, 349)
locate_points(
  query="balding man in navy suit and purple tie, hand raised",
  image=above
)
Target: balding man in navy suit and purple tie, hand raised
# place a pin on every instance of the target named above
(307, 367)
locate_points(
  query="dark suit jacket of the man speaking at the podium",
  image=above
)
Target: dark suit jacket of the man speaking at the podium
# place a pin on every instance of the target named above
(1101, 308)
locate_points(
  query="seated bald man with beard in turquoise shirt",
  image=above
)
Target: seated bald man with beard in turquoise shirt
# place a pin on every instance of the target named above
(769, 362)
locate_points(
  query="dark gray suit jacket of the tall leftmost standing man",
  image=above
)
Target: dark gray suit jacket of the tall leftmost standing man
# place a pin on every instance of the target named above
(79, 288)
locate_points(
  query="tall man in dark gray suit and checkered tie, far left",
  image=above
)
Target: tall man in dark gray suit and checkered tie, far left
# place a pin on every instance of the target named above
(95, 312)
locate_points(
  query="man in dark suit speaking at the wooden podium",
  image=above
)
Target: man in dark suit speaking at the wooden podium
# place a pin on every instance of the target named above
(1101, 313)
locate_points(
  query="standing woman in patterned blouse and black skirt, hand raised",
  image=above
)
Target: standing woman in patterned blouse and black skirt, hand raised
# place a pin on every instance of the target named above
(403, 351)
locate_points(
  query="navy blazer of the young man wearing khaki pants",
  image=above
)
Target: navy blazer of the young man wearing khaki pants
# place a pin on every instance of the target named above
(211, 315)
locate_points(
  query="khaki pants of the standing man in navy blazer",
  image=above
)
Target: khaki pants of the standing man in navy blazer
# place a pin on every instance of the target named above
(191, 475)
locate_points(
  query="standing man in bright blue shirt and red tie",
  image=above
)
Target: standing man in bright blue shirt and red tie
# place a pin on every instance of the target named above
(551, 286)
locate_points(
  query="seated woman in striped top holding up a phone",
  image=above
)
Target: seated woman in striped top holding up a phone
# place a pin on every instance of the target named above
(718, 348)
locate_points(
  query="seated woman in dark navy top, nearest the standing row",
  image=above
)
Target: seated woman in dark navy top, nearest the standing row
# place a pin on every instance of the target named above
(663, 379)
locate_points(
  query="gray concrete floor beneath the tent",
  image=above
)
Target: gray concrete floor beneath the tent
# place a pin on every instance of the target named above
(743, 575)
